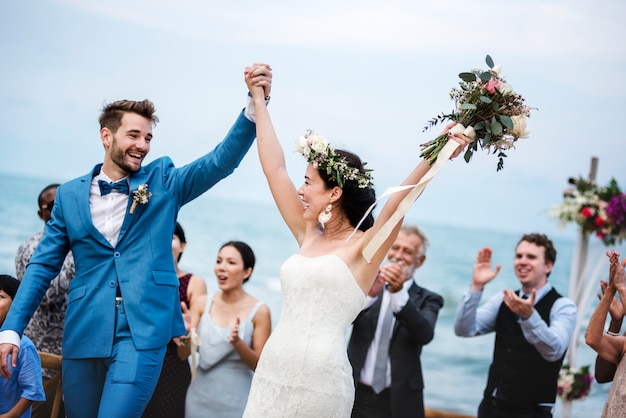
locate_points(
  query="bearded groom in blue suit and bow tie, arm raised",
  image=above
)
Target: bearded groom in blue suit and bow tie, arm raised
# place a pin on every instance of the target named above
(118, 220)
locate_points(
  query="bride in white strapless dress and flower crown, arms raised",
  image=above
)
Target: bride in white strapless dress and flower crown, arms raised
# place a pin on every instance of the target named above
(303, 370)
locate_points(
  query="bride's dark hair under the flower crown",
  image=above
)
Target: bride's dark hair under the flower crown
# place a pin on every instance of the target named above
(355, 200)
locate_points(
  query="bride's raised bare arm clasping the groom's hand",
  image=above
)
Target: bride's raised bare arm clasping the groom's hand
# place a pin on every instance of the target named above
(272, 157)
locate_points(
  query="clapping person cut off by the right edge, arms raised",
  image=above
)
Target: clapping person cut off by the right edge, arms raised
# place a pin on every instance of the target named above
(611, 347)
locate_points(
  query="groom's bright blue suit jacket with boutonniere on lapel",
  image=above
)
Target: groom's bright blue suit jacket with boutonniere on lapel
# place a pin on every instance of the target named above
(141, 262)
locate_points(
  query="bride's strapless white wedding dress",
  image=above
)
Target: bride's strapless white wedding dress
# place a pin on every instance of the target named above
(304, 370)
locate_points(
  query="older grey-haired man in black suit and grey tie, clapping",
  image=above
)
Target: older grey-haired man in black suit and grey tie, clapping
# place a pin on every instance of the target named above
(390, 384)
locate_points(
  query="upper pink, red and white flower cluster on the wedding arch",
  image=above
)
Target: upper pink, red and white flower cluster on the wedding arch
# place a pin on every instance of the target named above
(598, 210)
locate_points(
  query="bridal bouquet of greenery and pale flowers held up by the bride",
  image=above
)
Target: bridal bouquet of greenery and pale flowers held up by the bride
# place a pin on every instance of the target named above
(488, 111)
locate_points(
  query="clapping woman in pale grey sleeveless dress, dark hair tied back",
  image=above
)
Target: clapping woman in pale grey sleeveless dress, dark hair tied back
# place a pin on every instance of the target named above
(232, 327)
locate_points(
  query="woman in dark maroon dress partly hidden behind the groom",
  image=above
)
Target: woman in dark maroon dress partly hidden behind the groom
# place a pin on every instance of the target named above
(168, 400)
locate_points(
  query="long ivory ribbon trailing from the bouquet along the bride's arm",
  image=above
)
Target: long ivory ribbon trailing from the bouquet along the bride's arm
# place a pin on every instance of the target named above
(383, 233)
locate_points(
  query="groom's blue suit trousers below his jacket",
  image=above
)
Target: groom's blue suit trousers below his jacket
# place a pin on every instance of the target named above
(120, 386)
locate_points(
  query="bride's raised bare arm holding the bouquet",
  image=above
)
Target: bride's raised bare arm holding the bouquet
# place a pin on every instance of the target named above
(391, 206)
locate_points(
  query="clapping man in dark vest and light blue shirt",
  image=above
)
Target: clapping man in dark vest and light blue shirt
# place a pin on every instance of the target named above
(533, 327)
